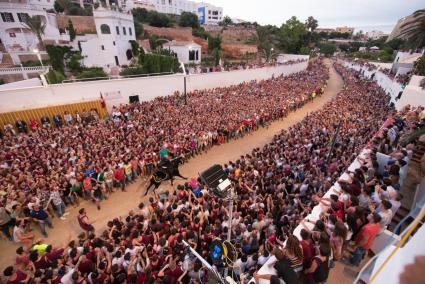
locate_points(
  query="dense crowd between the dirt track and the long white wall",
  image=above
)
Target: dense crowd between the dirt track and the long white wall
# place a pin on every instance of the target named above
(47, 165)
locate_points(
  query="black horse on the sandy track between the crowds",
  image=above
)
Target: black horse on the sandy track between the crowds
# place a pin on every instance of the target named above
(166, 170)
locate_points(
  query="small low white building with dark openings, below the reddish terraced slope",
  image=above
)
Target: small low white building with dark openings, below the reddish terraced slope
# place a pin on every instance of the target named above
(187, 52)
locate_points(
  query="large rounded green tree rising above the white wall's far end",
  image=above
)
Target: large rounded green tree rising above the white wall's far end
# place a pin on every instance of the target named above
(292, 35)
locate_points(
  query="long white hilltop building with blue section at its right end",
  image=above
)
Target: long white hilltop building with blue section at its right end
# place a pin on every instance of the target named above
(208, 14)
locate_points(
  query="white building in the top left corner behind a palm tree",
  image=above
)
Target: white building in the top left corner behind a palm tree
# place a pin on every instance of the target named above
(16, 38)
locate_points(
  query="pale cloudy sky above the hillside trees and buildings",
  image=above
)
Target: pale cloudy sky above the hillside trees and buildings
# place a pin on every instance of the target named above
(366, 15)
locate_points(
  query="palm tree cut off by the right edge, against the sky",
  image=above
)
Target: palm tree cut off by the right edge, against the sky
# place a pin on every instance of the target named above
(414, 29)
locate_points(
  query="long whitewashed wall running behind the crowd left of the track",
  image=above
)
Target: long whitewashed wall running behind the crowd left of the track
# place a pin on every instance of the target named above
(119, 90)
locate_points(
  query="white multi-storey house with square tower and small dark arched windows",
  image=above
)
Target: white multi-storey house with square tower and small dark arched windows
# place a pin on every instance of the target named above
(111, 47)
